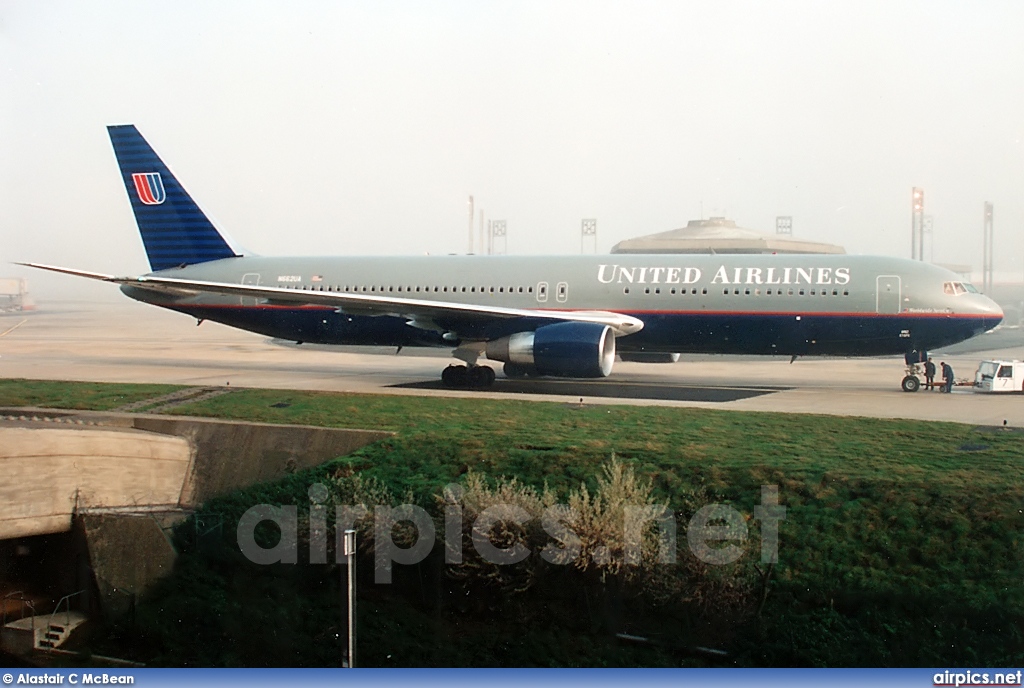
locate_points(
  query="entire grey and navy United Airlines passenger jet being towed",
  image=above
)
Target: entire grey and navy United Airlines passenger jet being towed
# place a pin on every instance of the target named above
(564, 317)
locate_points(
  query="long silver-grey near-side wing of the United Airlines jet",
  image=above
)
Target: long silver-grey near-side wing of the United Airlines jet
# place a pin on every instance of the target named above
(422, 314)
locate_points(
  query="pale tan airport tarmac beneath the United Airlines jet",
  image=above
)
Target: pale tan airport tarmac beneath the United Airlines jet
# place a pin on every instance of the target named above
(137, 343)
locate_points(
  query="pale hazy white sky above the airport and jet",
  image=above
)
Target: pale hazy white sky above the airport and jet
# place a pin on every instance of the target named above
(363, 127)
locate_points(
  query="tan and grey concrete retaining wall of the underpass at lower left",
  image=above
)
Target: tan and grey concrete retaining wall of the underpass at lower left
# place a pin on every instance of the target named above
(117, 470)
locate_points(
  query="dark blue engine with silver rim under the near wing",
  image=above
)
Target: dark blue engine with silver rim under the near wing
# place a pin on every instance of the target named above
(564, 350)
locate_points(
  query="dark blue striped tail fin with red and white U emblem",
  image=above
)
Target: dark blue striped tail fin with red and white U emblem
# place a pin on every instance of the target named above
(175, 230)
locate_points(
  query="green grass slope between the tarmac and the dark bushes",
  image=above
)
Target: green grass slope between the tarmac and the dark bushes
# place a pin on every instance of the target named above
(902, 546)
